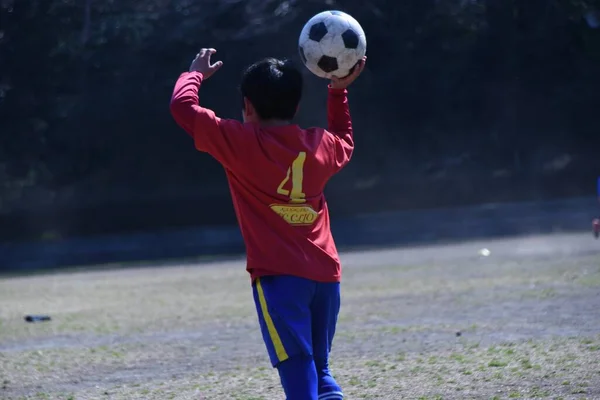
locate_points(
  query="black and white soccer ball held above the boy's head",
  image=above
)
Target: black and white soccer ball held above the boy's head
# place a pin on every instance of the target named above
(331, 43)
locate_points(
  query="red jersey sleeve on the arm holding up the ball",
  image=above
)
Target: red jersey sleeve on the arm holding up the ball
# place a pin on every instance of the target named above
(340, 125)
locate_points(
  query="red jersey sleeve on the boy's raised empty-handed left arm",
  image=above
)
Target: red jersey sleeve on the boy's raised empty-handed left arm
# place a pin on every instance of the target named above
(218, 137)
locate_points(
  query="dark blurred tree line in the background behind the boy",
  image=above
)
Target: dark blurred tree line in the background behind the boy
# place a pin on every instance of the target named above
(463, 101)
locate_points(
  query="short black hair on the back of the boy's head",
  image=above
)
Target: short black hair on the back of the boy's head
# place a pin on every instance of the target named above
(274, 87)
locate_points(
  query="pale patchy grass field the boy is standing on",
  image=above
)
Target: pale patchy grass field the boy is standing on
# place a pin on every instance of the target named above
(439, 322)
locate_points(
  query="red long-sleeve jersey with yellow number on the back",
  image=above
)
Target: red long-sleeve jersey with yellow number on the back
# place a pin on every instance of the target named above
(276, 176)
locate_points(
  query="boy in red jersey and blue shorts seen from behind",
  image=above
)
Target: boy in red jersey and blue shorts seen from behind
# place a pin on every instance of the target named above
(277, 172)
